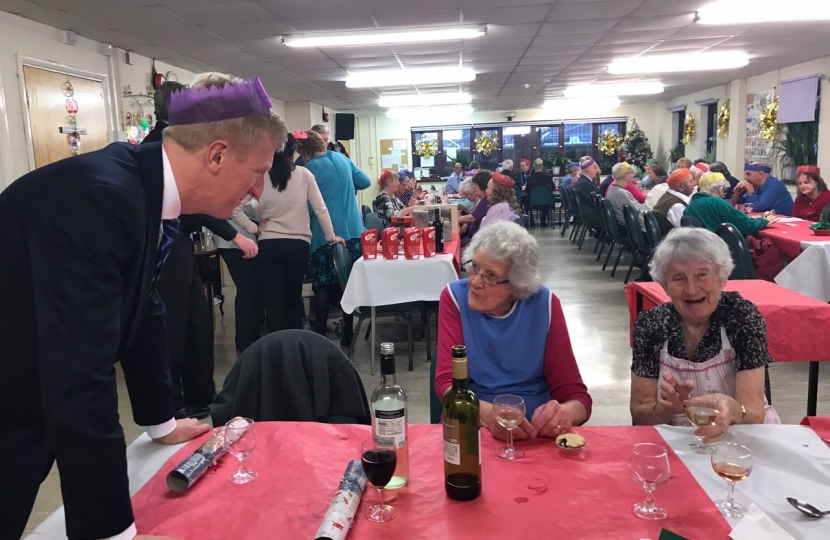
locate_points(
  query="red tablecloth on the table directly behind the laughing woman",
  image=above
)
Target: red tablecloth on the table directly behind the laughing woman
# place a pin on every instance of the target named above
(798, 327)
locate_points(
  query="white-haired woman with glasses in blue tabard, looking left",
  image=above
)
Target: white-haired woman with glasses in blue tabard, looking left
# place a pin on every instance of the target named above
(515, 333)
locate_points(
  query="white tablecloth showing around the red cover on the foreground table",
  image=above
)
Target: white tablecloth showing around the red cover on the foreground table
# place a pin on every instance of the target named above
(788, 461)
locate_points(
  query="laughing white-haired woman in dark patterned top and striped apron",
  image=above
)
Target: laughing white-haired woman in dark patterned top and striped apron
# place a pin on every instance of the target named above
(704, 348)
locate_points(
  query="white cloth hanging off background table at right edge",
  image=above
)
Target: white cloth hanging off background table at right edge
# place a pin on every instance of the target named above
(809, 273)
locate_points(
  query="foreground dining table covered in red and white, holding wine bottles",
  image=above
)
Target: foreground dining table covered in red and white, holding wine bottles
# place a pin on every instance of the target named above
(544, 495)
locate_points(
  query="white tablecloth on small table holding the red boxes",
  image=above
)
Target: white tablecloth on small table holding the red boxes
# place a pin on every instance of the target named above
(381, 282)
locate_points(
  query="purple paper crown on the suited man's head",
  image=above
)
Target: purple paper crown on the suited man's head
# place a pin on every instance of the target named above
(233, 100)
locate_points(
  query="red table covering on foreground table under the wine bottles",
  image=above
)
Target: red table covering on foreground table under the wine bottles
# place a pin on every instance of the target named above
(544, 495)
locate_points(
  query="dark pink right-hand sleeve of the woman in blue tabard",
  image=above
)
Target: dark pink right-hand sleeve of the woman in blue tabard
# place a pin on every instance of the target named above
(561, 371)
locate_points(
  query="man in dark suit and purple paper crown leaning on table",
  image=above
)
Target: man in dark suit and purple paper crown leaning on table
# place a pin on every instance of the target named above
(84, 241)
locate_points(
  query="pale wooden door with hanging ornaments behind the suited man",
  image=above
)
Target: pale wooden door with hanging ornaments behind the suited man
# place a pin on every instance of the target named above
(47, 94)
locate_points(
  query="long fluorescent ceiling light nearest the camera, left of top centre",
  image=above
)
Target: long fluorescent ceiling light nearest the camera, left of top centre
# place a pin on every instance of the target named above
(380, 37)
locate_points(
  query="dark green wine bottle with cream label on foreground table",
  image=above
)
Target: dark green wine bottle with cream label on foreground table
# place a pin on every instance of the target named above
(462, 438)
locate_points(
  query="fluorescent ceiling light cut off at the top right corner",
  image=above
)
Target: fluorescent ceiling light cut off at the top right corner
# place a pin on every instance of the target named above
(760, 11)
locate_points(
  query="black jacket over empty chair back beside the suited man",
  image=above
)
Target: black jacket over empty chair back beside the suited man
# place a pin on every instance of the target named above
(292, 375)
